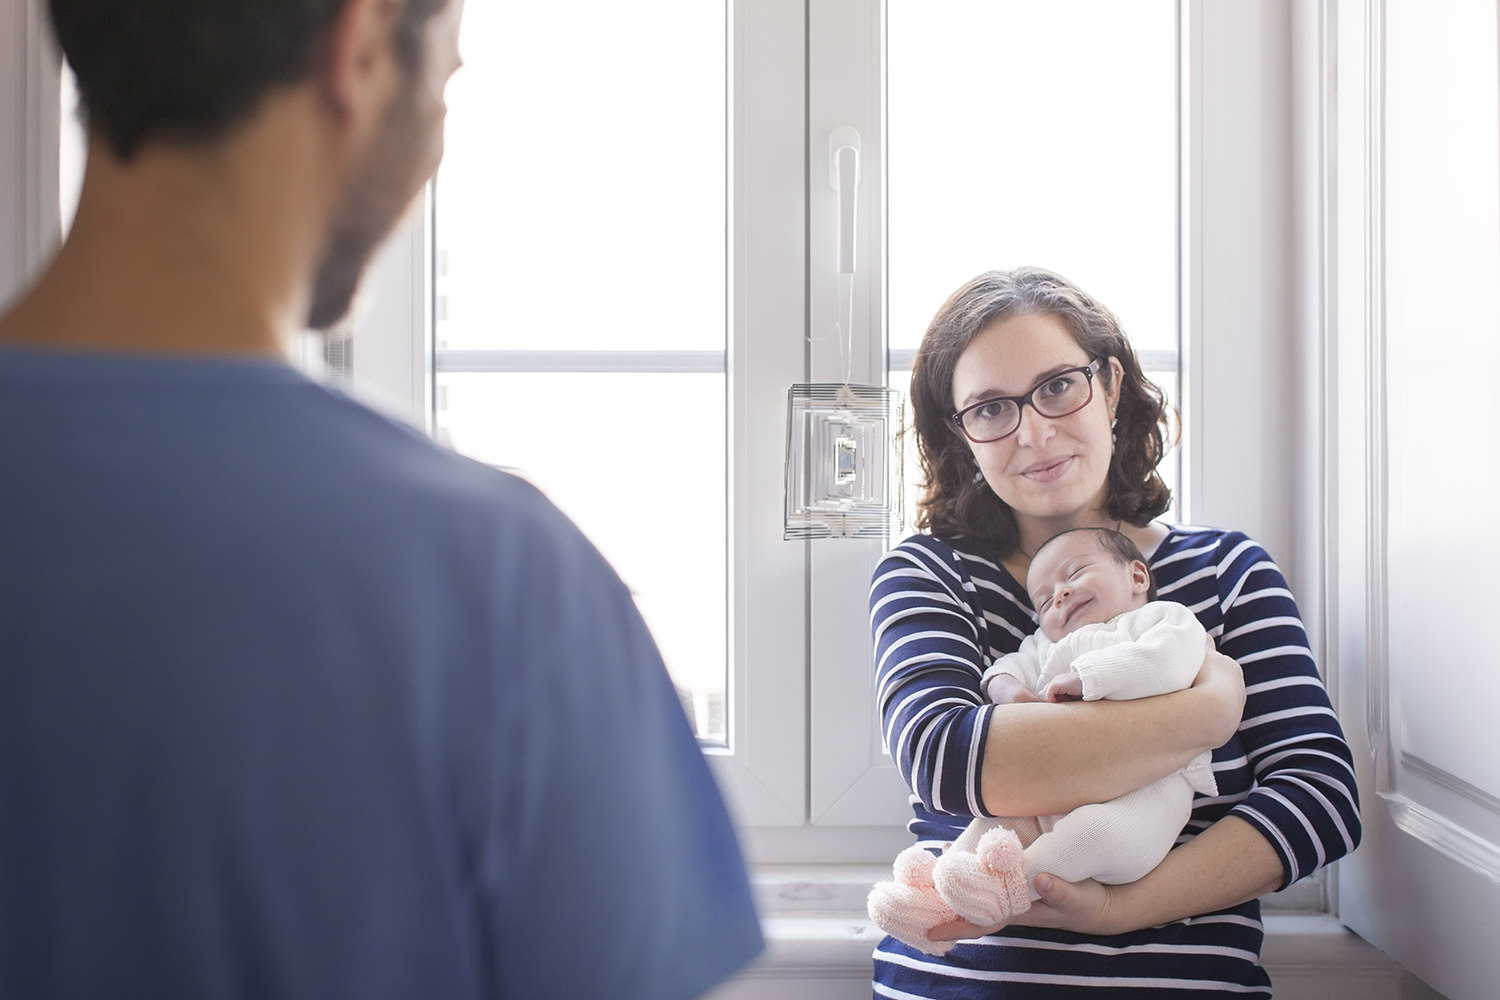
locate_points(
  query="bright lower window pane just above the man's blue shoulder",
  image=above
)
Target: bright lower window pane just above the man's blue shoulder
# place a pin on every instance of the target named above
(638, 463)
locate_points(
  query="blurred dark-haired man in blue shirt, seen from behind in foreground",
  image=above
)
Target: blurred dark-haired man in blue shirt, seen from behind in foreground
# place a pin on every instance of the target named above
(293, 702)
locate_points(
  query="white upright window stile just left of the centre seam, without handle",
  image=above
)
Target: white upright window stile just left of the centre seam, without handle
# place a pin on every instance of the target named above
(764, 774)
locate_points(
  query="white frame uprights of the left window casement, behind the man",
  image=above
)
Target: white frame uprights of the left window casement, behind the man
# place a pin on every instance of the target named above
(764, 771)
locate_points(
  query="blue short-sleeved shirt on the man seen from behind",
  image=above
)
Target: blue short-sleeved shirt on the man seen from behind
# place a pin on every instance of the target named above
(295, 704)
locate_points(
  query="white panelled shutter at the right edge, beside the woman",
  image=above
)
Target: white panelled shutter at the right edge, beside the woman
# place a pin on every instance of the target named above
(1412, 247)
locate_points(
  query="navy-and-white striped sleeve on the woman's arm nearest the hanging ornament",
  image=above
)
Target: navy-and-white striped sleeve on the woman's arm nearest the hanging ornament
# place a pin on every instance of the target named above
(929, 660)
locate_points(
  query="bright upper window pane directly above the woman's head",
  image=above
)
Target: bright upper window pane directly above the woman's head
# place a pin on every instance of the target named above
(1039, 134)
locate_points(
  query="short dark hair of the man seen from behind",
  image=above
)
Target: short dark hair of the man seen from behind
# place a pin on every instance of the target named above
(193, 70)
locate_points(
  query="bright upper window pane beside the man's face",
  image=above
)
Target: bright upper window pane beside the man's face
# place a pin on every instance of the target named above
(581, 205)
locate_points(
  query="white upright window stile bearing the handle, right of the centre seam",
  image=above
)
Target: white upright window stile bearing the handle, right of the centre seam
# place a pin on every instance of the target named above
(853, 782)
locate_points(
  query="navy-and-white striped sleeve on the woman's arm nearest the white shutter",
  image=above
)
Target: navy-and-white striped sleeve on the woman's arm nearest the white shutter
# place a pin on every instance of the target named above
(1304, 798)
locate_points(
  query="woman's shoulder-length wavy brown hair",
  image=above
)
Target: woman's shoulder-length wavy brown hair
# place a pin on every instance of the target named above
(953, 503)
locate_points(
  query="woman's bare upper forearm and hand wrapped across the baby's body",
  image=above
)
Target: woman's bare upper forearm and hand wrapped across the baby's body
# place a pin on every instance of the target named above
(1043, 759)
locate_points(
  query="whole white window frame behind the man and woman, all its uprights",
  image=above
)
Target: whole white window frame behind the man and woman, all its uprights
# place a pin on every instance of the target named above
(806, 774)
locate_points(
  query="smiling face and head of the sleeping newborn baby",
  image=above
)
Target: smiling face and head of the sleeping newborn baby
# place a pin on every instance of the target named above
(1076, 582)
